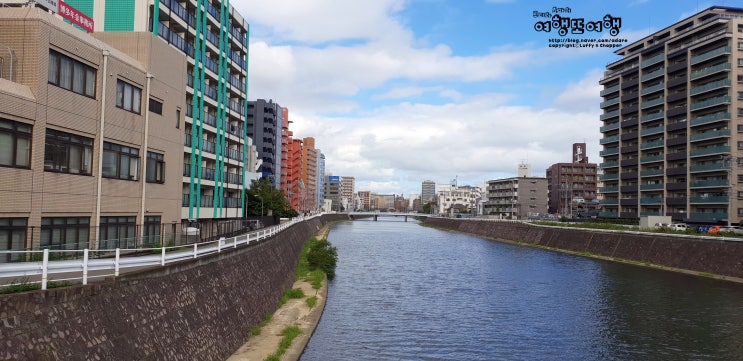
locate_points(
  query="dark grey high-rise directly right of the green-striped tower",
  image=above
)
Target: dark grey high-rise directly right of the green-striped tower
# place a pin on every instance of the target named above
(265, 119)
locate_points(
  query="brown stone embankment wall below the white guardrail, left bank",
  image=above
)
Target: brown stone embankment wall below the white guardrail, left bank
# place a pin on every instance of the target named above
(200, 310)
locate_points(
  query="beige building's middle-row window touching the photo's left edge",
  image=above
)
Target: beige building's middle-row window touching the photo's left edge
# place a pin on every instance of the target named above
(15, 144)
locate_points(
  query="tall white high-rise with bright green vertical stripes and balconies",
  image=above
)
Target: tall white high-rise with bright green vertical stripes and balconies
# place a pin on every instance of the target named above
(214, 38)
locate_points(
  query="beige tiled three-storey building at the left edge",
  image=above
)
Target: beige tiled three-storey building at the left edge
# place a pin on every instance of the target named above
(91, 137)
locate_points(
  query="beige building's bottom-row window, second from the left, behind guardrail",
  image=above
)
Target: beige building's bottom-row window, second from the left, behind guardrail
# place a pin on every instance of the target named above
(65, 232)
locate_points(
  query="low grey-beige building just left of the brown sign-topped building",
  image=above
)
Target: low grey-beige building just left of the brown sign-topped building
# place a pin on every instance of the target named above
(517, 197)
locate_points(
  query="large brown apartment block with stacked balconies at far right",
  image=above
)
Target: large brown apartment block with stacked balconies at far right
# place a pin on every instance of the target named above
(671, 140)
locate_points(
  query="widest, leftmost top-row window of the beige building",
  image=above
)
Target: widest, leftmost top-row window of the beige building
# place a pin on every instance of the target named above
(71, 74)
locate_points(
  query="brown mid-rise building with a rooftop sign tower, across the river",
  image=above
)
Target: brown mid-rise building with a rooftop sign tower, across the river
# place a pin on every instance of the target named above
(572, 186)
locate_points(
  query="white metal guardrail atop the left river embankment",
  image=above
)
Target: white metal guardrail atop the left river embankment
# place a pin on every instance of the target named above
(86, 268)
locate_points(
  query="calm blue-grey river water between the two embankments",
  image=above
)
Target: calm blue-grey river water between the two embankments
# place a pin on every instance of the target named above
(407, 292)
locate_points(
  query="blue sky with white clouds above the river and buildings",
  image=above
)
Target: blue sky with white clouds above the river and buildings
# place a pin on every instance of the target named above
(396, 92)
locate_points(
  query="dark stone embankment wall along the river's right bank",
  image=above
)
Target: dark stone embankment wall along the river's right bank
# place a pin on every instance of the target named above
(691, 253)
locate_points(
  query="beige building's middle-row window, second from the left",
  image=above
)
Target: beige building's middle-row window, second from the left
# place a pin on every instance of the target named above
(67, 153)
